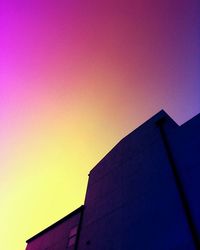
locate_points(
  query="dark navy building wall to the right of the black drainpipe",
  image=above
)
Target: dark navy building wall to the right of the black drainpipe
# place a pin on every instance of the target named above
(186, 152)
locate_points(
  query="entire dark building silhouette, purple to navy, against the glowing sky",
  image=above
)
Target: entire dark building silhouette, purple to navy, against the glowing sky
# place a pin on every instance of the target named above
(144, 194)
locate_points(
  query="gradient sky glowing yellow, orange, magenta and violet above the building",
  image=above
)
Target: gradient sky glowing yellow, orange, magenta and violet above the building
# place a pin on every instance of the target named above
(75, 77)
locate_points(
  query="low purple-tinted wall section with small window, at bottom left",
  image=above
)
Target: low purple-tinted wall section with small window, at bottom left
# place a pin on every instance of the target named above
(60, 236)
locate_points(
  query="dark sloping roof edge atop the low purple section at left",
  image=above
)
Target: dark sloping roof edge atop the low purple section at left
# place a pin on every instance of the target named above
(77, 211)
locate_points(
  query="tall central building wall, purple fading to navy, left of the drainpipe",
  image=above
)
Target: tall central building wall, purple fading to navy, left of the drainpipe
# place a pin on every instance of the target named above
(132, 201)
